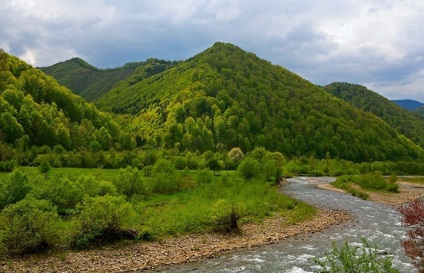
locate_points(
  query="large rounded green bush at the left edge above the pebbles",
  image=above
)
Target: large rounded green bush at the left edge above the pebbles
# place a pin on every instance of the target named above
(29, 226)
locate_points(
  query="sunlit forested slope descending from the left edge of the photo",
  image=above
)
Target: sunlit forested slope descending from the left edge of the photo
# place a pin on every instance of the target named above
(36, 110)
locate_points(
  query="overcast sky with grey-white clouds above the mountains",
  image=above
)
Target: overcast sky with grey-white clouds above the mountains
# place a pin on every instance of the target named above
(379, 43)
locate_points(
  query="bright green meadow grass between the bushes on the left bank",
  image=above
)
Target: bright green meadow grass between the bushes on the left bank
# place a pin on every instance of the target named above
(201, 205)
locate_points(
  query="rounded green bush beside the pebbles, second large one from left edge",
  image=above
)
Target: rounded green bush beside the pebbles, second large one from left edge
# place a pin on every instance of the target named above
(103, 219)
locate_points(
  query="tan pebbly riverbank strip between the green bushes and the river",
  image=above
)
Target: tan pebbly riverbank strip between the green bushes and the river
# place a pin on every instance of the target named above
(170, 251)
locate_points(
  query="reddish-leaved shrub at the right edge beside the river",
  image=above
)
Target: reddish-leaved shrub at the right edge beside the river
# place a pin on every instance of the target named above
(413, 219)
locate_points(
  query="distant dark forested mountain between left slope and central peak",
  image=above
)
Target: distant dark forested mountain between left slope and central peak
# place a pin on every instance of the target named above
(91, 83)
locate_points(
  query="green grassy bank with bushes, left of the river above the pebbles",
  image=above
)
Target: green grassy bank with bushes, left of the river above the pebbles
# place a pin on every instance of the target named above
(85, 208)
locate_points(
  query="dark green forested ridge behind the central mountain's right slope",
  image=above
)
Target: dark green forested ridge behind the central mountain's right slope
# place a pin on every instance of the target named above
(405, 122)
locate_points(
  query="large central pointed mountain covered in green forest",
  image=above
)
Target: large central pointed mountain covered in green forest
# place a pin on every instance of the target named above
(225, 97)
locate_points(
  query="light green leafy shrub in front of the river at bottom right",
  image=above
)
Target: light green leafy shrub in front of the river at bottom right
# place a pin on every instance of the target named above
(347, 259)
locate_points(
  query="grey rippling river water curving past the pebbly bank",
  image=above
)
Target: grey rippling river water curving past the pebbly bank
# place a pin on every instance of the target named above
(379, 224)
